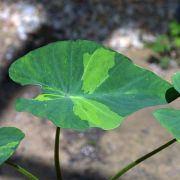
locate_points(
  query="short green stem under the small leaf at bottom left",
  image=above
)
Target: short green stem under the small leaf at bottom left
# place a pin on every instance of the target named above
(21, 170)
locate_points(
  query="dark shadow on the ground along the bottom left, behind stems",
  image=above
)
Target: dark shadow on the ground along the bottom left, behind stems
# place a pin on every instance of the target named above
(38, 168)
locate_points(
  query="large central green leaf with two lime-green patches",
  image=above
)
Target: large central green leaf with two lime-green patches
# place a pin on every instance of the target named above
(85, 85)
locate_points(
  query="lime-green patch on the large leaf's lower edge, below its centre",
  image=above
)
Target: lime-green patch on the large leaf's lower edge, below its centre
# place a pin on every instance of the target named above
(96, 113)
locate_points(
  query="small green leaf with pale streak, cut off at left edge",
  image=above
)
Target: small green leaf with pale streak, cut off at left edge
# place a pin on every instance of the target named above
(10, 138)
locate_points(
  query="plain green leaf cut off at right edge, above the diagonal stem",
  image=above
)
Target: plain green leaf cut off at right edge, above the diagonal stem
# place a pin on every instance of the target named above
(170, 119)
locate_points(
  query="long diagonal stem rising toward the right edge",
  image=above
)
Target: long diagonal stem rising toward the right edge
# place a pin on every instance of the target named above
(143, 158)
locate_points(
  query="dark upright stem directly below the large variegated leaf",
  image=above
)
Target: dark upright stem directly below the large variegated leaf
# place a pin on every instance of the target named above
(56, 155)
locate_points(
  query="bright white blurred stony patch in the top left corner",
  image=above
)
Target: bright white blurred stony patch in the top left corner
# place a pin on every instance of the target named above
(24, 17)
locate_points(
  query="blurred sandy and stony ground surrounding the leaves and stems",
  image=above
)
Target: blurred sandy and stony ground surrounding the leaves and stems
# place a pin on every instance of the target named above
(147, 31)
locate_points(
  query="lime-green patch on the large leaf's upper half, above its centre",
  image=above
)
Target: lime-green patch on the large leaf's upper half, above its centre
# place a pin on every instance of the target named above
(96, 67)
